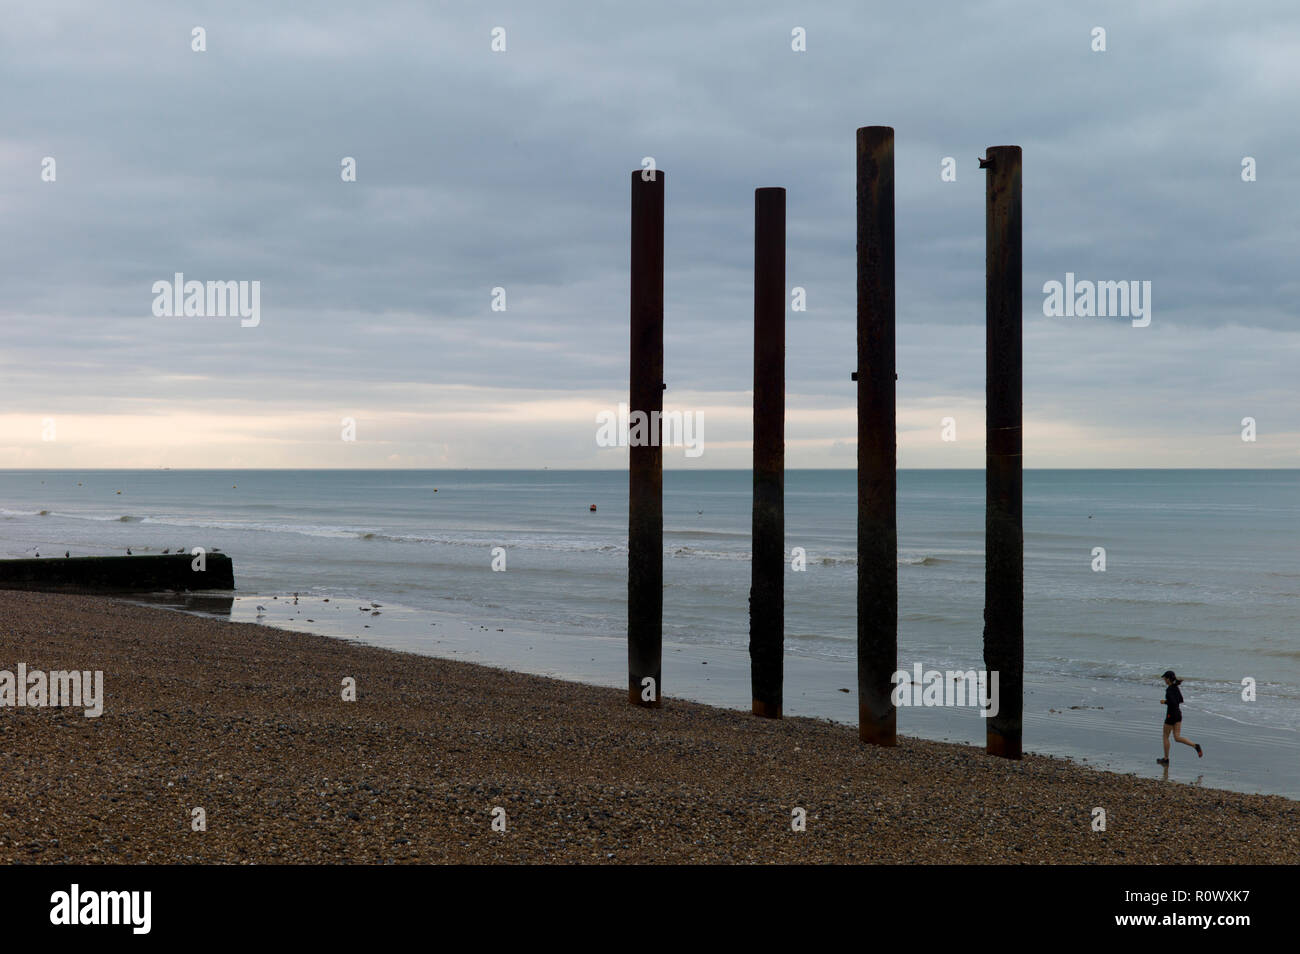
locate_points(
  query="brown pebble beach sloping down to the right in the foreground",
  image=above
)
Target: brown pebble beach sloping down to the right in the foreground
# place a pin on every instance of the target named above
(249, 725)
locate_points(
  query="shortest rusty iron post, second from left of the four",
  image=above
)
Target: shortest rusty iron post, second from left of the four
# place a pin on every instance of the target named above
(768, 569)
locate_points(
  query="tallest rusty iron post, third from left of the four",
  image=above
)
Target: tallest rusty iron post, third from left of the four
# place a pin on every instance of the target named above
(878, 450)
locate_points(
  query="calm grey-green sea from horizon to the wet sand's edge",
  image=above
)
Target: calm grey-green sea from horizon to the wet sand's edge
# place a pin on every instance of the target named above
(1203, 567)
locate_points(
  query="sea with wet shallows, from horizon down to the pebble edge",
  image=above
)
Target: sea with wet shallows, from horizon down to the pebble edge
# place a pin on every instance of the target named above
(1128, 574)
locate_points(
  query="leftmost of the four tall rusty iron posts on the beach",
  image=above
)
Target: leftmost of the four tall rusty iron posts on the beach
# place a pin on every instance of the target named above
(645, 457)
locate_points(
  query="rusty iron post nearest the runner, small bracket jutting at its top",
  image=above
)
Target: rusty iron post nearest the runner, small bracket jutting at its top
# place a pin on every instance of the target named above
(1004, 535)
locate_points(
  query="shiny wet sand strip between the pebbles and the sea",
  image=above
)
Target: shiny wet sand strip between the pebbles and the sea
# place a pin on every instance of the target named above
(1093, 725)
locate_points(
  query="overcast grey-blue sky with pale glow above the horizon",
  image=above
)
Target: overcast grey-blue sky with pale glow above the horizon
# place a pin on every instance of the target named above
(478, 170)
